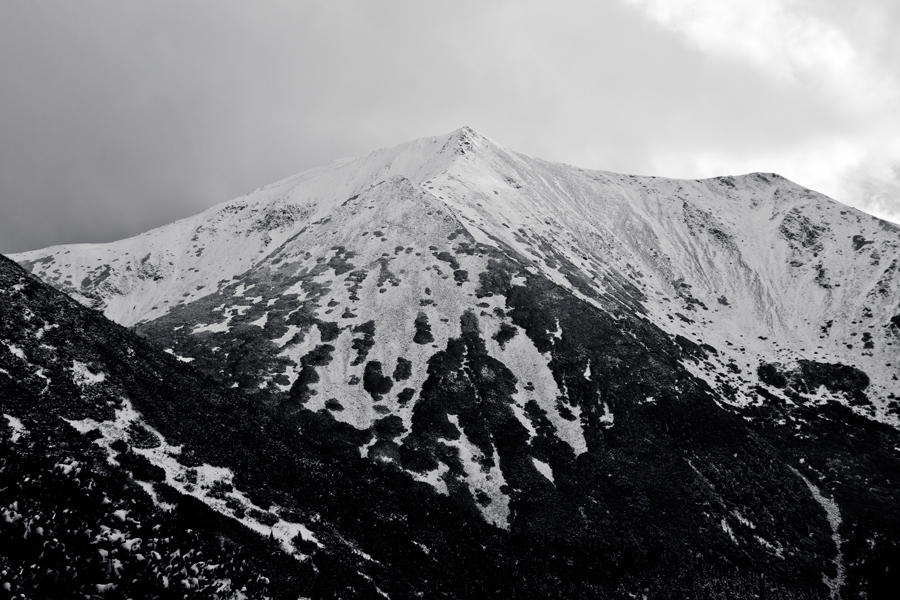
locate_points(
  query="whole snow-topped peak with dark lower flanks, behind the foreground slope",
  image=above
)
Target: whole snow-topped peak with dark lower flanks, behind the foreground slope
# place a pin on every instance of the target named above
(636, 383)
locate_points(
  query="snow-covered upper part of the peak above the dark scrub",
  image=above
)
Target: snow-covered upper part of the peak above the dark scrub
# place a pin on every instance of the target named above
(755, 266)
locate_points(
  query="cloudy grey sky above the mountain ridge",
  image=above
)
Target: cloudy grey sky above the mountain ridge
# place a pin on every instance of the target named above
(117, 117)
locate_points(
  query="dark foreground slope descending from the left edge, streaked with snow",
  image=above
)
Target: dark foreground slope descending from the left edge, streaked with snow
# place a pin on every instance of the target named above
(115, 481)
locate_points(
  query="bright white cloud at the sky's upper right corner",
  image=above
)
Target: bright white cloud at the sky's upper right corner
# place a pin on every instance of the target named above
(787, 41)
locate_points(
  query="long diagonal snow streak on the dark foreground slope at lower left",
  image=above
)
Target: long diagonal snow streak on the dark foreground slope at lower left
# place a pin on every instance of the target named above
(197, 481)
